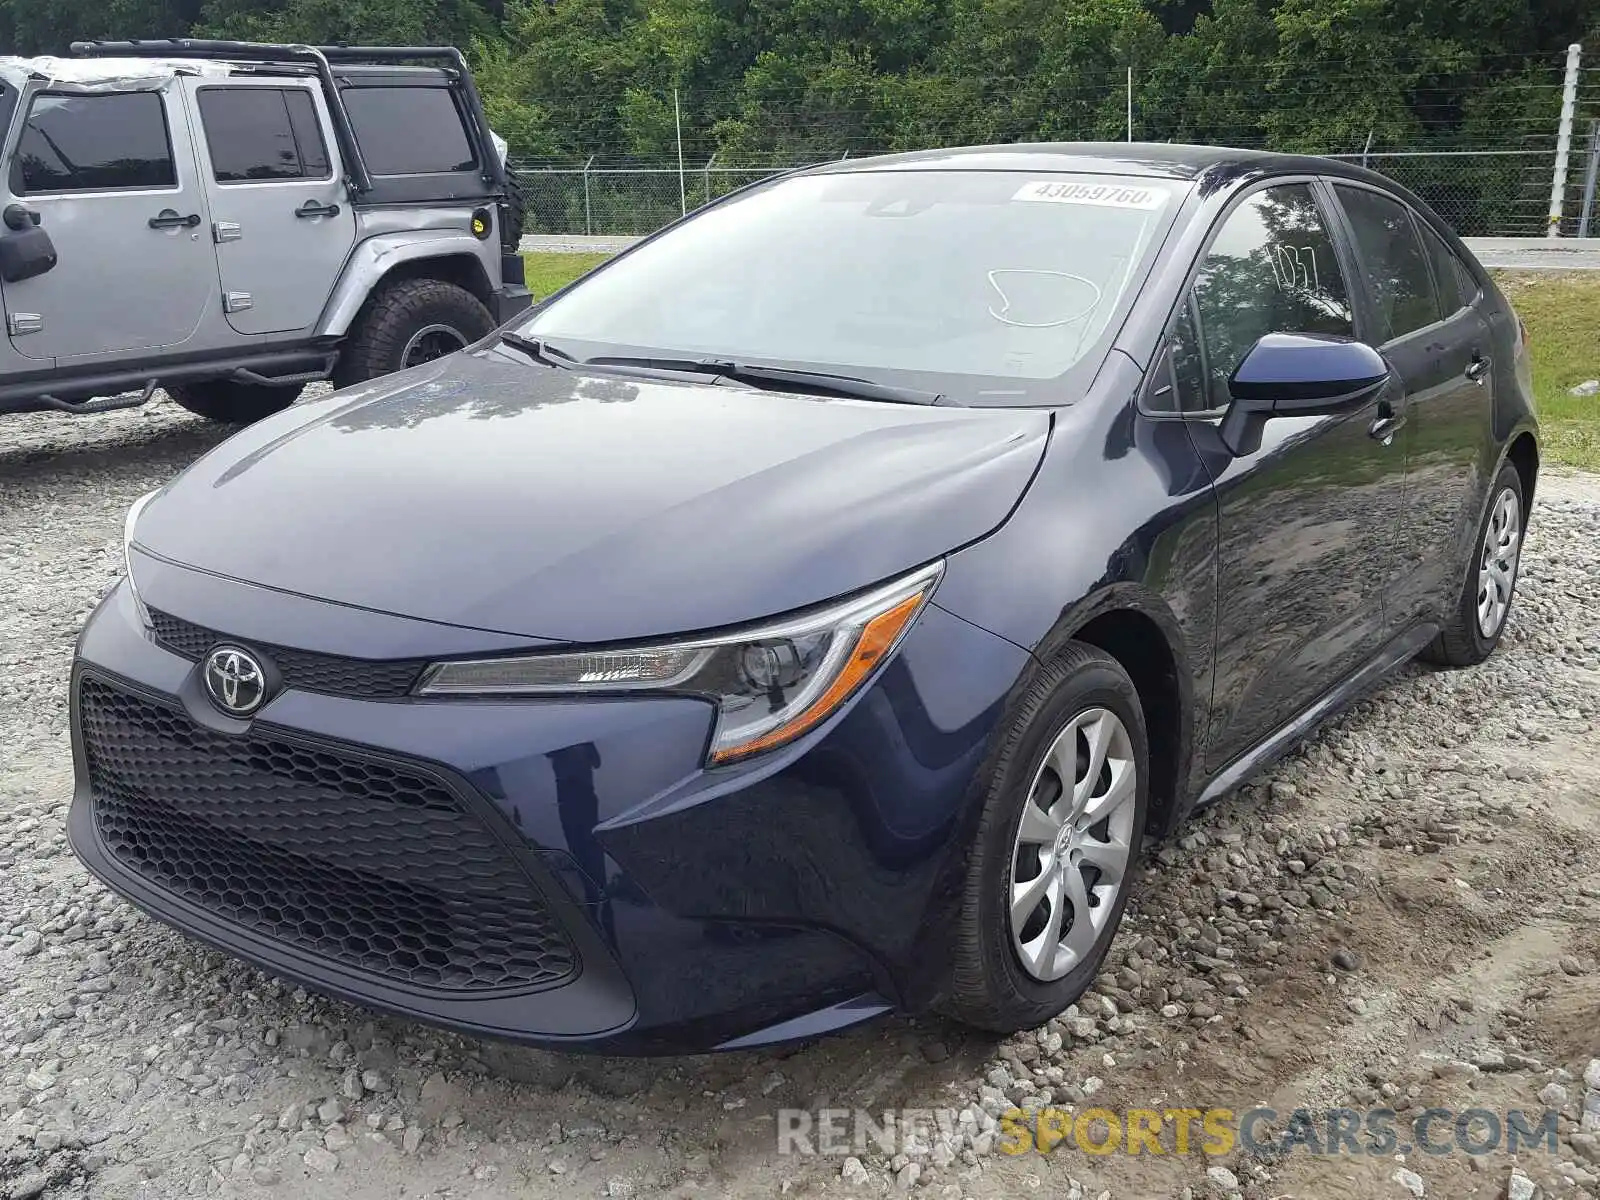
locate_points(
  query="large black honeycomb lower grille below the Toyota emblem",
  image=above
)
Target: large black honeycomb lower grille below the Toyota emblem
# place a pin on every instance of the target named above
(364, 863)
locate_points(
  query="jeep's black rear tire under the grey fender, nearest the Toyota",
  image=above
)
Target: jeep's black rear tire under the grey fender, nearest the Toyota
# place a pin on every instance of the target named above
(401, 311)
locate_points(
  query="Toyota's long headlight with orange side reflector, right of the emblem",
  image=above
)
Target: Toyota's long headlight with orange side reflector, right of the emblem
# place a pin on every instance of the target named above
(770, 684)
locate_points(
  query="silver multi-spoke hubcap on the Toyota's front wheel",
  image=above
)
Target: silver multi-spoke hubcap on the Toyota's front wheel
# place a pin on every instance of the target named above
(1073, 846)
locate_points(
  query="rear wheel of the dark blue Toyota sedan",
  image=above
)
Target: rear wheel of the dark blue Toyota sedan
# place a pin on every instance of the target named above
(1481, 609)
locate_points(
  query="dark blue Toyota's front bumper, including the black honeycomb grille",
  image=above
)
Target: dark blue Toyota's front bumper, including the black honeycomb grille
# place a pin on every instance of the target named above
(695, 910)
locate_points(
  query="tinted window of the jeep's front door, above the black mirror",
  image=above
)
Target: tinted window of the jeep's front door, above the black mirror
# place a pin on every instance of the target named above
(94, 143)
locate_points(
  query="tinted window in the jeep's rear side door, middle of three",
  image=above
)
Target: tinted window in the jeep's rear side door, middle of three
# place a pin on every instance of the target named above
(263, 134)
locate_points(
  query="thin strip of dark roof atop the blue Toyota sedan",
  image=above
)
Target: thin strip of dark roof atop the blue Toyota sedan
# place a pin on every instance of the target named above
(1170, 161)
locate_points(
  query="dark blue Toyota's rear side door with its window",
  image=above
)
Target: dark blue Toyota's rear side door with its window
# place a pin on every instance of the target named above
(1439, 345)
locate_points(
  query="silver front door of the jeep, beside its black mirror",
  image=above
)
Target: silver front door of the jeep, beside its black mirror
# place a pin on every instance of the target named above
(111, 177)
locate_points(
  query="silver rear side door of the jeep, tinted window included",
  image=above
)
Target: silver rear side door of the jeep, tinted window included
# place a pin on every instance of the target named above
(282, 222)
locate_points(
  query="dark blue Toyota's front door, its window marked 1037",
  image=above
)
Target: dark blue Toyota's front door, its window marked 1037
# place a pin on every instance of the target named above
(1306, 524)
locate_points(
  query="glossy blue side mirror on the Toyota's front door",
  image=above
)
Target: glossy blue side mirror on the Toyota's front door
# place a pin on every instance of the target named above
(1298, 375)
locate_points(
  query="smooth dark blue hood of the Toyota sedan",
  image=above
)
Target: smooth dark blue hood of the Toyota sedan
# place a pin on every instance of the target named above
(489, 492)
